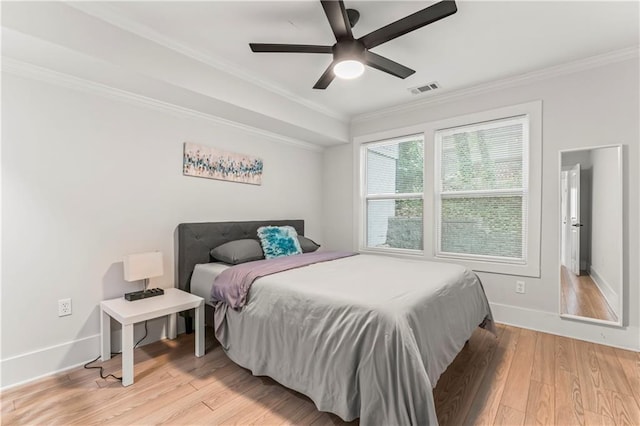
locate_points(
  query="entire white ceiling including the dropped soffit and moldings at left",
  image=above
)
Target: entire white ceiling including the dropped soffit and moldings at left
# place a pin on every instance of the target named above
(193, 58)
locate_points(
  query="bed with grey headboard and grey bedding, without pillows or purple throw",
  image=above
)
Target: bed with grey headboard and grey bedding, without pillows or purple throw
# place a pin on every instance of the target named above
(363, 336)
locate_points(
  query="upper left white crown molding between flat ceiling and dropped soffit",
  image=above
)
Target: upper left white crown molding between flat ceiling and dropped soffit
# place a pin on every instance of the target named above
(107, 14)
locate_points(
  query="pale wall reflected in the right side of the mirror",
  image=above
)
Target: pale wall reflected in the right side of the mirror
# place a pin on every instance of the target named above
(605, 247)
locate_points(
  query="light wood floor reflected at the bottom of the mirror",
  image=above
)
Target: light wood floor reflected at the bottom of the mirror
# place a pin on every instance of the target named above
(580, 296)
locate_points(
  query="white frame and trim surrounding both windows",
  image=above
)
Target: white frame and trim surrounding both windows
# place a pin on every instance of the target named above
(533, 110)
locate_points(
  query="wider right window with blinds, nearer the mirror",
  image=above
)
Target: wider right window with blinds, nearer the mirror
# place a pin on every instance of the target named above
(481, 191)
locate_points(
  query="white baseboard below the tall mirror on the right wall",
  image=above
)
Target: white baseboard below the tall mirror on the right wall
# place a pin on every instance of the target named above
(552, 323)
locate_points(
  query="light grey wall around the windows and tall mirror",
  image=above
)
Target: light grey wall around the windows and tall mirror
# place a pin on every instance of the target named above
(578, 111)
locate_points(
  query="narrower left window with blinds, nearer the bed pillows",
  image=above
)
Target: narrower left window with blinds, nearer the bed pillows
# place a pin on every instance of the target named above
(394, 193)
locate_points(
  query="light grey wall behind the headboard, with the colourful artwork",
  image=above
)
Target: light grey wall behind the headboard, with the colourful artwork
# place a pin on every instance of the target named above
(87, 179)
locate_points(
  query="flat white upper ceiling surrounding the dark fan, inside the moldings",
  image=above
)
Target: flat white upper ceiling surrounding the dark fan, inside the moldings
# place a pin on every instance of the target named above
(484, 41)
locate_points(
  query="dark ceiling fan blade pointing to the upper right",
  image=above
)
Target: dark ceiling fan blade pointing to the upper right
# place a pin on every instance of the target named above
(410, 23)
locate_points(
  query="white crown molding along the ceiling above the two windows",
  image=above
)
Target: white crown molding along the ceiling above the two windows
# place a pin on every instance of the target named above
(513, 81)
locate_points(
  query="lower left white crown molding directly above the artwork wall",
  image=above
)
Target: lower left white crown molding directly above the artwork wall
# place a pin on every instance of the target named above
(24, 69)
